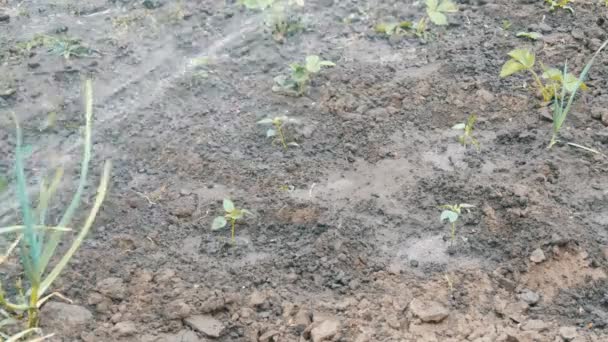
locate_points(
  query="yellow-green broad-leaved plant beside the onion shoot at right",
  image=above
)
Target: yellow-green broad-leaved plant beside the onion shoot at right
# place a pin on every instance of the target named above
(524, 60)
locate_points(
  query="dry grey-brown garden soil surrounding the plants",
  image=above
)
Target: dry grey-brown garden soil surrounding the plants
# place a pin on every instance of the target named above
(357, 236)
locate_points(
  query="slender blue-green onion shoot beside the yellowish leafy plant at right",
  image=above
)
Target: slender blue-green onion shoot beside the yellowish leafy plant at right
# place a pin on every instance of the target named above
(561, 108)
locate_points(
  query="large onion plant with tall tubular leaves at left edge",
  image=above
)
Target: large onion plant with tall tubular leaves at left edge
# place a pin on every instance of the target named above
(39, 242)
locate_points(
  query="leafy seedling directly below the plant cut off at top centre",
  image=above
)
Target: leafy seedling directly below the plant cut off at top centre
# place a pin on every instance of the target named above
(297, 82)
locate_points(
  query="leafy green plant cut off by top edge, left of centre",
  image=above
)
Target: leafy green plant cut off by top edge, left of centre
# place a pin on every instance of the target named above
(281, 18)
